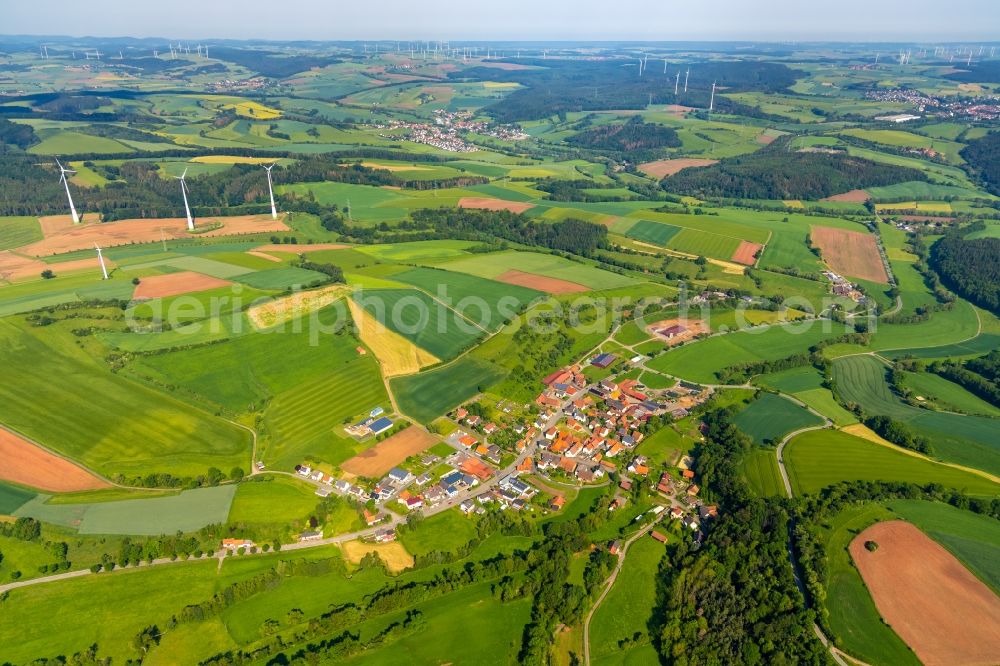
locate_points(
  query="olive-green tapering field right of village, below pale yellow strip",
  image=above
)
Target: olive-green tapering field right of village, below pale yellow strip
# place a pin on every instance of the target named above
(821, 458)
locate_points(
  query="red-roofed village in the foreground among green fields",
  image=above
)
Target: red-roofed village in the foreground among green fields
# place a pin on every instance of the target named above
(529, 458)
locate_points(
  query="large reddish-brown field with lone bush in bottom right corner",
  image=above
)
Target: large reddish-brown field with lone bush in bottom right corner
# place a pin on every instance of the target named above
(944, 613)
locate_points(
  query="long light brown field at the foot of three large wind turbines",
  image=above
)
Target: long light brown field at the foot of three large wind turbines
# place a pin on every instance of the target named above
(124, 232)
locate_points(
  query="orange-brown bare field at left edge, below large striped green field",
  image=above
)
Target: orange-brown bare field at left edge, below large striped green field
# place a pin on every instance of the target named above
(31, 465)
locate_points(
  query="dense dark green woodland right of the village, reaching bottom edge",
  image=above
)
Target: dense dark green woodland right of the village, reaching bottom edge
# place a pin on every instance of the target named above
(734, 599)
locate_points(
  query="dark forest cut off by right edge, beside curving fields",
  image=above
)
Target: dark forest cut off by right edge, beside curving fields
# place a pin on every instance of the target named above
(970, 268)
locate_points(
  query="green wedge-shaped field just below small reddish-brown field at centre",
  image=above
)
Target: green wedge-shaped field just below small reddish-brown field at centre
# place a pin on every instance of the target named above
(485, 302)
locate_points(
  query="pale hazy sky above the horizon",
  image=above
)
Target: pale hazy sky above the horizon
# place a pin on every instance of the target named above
(661, 20)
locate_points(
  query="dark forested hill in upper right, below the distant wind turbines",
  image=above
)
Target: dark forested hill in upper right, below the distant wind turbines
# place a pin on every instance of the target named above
(777, 173)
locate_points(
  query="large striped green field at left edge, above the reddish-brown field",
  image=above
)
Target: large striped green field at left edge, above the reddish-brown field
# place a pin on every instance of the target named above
(105, 420)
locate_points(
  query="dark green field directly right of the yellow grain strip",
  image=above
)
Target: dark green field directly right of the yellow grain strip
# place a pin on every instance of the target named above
(418, 317)
